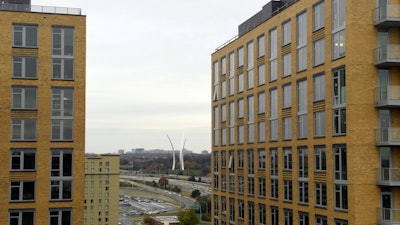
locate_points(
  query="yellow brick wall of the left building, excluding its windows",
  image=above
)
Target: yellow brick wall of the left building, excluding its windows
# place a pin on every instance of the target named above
(42, 204)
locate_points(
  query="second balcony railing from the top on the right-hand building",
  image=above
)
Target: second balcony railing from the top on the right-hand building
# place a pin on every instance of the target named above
(387, 55)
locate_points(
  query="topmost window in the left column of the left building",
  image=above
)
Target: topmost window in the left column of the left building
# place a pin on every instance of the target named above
(25, 36)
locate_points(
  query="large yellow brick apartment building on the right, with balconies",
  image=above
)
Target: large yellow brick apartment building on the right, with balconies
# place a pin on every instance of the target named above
(306, 115)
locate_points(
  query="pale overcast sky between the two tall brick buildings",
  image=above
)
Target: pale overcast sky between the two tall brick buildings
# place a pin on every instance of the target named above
(148, 69)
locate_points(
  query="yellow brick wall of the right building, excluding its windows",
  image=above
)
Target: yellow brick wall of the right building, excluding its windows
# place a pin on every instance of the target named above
(361, 119)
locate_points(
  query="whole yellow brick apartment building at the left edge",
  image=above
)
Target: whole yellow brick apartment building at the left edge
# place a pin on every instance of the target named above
(42, 114)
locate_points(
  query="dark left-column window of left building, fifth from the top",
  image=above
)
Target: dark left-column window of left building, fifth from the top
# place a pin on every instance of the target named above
(23, 159)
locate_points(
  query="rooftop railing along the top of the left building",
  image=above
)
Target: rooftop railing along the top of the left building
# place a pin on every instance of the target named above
(39, 9)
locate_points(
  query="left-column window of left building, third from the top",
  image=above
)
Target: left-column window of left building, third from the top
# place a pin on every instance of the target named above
(24, 97)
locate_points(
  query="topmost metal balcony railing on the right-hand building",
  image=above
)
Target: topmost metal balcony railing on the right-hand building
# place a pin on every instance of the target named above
(387, 16)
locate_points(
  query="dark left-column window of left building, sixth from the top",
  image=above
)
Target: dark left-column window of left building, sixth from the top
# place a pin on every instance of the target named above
(22, 191)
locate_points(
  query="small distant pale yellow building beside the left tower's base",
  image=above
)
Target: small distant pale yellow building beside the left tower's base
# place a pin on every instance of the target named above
(101, 190)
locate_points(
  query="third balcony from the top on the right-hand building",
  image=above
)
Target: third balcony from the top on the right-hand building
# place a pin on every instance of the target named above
(387, 97)
